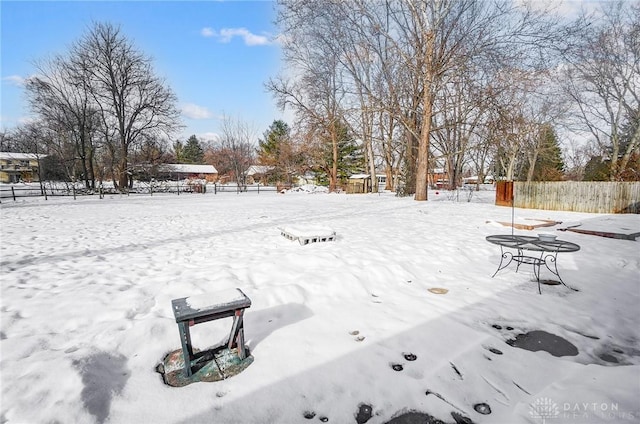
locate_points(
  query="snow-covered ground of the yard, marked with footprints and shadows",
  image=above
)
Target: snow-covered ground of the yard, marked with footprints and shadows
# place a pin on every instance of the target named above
(339, 330)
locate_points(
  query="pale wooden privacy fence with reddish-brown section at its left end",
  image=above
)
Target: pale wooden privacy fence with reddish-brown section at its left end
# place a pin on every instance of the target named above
(577, 196)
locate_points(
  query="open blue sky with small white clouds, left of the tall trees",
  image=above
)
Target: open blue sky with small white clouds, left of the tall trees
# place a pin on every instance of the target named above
(215, 55)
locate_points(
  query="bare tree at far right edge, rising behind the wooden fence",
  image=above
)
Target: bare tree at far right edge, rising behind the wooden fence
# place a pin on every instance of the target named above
(603, 80)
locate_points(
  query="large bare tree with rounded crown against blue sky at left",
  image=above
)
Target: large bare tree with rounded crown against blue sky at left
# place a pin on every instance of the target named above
(130, 98)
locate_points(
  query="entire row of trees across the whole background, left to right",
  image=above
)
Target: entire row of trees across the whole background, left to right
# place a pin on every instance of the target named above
(482, 87)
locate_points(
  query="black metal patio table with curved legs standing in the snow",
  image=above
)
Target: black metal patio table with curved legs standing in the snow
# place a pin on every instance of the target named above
(523, 244)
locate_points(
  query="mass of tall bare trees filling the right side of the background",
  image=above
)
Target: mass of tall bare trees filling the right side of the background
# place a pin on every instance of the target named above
(482, 85)
